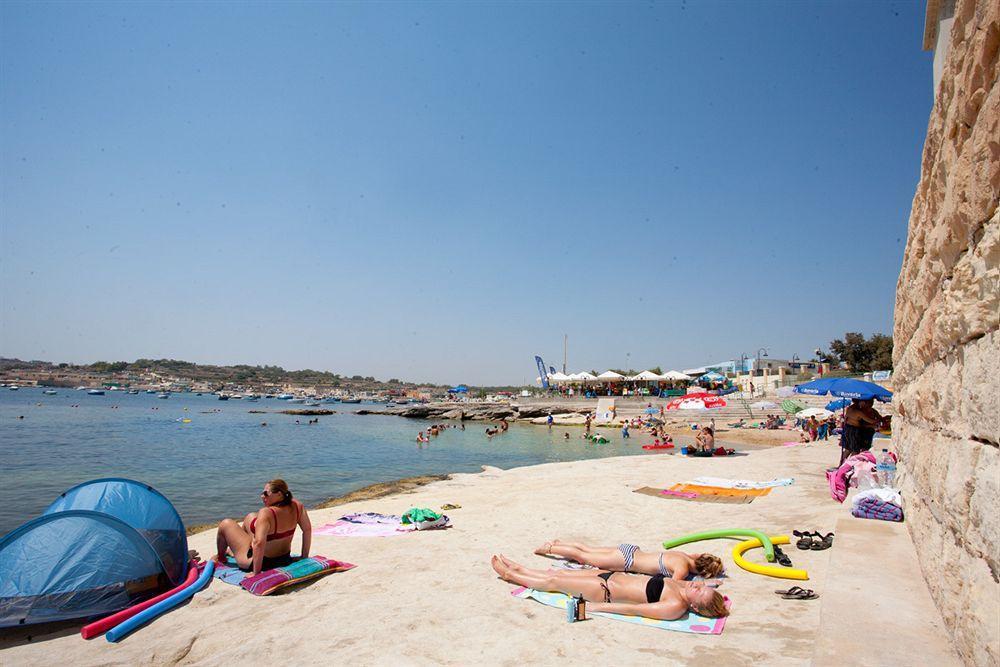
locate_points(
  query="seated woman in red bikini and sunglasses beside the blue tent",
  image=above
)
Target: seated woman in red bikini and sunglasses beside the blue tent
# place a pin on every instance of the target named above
(264, 541)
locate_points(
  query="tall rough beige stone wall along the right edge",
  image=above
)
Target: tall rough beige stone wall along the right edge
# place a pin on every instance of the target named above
(947, 343)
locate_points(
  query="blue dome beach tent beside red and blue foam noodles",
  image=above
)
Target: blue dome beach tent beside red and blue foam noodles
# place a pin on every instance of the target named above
(100, 547)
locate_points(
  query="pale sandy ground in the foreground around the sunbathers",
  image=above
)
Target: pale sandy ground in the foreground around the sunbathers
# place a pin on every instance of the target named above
(431, 597)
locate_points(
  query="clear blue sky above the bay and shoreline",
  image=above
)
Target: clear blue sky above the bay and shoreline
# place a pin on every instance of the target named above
(440, 191)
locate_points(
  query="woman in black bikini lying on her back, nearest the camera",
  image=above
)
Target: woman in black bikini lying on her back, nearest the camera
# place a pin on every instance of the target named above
(619, 592)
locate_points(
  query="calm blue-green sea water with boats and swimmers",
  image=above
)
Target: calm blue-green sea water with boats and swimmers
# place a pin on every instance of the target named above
(216, 465)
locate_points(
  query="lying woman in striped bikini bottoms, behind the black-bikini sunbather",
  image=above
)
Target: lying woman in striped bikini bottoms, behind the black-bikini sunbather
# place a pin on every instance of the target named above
(629, 558)
